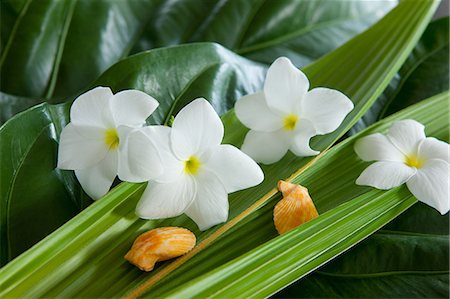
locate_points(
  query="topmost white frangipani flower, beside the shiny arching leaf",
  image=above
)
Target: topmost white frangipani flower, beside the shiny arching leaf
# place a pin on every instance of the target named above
(286, 115)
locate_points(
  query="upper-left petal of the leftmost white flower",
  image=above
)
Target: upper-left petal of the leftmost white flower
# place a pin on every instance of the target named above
(92, 108)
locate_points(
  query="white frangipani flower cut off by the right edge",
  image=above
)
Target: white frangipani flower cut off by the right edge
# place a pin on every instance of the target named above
(406, 155)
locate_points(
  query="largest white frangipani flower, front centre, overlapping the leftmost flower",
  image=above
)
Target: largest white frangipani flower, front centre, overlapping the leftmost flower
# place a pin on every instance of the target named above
(199, 171)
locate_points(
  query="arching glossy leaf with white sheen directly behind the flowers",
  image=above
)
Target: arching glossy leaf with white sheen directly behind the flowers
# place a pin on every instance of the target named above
(177, 75)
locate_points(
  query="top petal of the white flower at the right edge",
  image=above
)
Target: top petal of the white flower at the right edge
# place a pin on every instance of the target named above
(406, 135)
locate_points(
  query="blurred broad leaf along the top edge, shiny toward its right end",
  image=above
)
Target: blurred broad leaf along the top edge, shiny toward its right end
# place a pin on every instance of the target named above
(264, 30)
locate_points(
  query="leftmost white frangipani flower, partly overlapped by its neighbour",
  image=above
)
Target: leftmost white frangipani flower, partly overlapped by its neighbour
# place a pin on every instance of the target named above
(98, 129)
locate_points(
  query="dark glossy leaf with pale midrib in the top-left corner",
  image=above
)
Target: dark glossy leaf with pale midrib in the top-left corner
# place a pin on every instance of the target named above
(53, 51)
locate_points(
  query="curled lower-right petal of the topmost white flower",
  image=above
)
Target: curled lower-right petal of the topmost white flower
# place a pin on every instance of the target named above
(300, 139)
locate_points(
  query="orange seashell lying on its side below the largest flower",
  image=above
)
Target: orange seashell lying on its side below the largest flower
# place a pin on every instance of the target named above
(160, 244)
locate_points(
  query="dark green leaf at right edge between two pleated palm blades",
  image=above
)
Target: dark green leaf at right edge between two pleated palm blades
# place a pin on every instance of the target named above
(424, 74)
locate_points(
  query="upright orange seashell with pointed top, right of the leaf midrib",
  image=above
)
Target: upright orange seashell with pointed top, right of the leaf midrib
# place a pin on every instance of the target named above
(294, 209)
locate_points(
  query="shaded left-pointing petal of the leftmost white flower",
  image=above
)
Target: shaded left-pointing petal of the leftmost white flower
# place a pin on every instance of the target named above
(81, 147)
